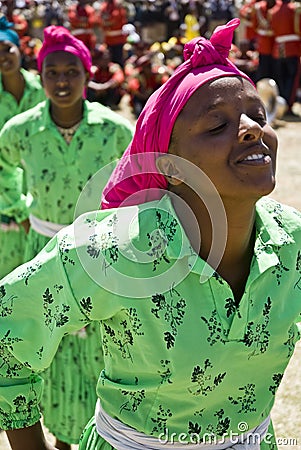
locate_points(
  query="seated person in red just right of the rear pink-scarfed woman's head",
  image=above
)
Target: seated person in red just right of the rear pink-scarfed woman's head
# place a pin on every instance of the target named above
(106, 84)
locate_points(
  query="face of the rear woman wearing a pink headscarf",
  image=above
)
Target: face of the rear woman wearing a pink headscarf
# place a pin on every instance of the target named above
(64, 78)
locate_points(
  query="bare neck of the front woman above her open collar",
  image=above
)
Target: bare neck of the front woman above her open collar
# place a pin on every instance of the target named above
(227, 245)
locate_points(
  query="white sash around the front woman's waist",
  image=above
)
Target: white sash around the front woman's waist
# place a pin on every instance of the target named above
(123, 437)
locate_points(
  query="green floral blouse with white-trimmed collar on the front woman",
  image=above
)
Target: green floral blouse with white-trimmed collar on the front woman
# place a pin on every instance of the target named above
(180, 359)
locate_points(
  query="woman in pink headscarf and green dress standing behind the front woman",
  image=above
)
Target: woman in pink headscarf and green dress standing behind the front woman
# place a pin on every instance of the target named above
(60, 144)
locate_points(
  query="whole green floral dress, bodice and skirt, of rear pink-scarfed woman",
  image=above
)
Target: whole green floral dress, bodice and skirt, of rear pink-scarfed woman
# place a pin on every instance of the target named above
(56, 176)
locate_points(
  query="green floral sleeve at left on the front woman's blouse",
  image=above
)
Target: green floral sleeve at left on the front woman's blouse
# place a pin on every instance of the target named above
(37, 308)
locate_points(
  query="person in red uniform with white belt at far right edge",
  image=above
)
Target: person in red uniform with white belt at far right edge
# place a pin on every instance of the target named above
(285, 22)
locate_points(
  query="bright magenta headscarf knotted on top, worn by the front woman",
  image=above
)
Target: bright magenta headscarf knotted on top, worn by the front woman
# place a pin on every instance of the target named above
(136, 172)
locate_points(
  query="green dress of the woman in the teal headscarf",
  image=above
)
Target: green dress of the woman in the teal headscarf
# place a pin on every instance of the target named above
(13, 239)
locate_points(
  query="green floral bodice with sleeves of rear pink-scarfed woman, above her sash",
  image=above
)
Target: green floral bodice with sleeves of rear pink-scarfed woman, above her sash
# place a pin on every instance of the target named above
(56, 172)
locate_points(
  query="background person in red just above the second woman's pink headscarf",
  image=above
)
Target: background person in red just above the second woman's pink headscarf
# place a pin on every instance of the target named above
(82, 21)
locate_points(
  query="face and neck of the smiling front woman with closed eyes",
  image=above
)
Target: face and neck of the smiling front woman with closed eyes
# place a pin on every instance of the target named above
(223, 131)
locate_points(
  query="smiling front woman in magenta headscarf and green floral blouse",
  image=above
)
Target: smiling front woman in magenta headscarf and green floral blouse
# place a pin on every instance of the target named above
(193, 274)
